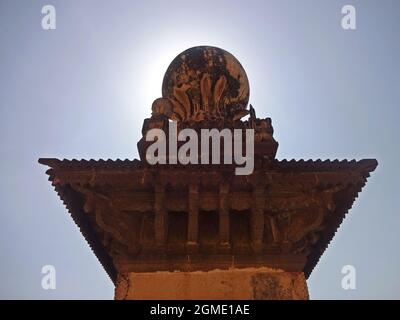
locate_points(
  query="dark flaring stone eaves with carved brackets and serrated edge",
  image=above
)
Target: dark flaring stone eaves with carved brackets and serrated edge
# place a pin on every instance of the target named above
(140, 218)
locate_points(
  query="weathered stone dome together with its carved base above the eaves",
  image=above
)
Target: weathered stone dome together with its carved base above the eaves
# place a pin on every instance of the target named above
(206, 87)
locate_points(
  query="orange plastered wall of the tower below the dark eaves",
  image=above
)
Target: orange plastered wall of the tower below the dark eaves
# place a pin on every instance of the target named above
(233, 284)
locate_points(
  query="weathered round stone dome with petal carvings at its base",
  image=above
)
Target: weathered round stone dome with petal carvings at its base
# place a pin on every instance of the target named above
(206, 82)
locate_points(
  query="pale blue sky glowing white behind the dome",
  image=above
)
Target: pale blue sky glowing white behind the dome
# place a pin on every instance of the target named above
(83, 90)
